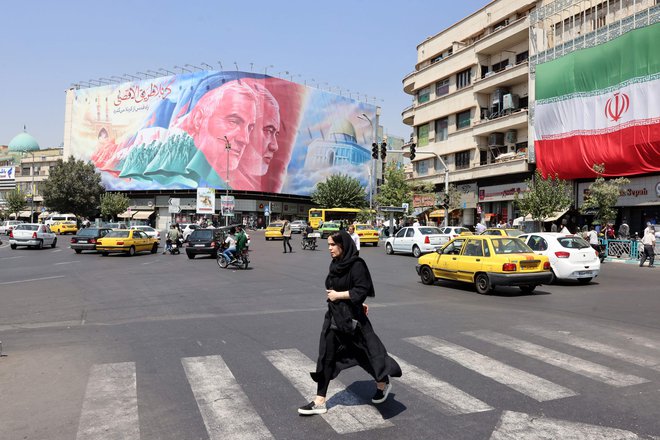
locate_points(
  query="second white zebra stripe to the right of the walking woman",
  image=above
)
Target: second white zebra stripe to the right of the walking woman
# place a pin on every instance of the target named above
(528, 384)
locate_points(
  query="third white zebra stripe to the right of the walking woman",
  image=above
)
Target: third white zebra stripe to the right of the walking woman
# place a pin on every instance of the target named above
(567, 362)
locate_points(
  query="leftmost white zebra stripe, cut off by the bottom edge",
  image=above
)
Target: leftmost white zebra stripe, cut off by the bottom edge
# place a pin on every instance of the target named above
(110, 407)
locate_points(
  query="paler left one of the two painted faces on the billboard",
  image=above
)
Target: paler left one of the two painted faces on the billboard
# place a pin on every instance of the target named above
(231, 118)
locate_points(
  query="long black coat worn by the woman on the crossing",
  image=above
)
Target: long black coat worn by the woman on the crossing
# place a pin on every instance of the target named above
(361, 346)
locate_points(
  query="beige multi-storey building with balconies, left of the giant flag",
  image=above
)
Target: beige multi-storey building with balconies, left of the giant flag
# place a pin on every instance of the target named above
(470, 93)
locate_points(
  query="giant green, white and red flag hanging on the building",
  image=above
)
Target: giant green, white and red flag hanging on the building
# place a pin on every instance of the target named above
(601, 105)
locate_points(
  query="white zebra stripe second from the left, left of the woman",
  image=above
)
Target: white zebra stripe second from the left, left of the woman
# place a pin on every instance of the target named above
(226, 410)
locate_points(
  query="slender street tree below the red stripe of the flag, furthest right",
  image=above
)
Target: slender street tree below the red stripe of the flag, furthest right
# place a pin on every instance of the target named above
(602, 197)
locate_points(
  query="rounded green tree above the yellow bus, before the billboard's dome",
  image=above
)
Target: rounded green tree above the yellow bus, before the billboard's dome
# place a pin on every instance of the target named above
(340, 191)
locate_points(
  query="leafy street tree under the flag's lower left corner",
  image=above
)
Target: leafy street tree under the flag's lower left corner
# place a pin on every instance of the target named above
(544, 197)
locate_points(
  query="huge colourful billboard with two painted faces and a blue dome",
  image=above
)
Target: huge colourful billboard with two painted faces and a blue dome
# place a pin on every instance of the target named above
(213, 129)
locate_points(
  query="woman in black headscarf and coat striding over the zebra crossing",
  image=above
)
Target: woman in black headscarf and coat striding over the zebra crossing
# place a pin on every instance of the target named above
(347, 337)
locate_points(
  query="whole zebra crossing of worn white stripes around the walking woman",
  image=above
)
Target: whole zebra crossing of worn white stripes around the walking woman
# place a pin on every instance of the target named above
(110, 405)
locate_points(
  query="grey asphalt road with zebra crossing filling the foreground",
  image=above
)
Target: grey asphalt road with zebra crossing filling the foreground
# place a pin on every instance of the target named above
(162, 347)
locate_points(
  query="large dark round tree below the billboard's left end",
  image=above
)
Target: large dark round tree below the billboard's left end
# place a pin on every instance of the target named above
(73, 186)
